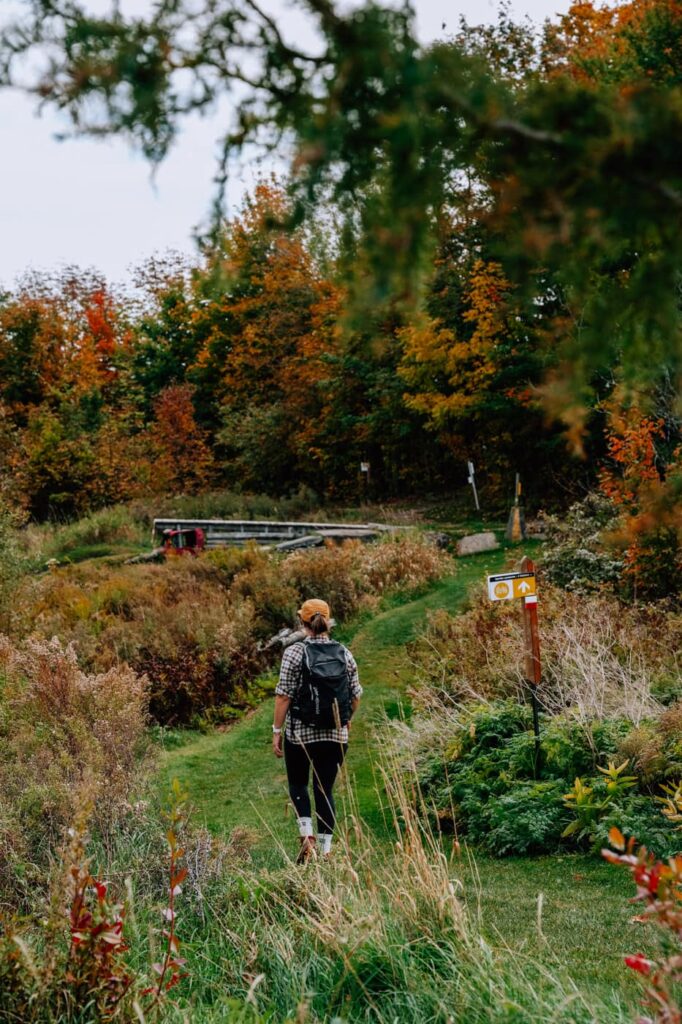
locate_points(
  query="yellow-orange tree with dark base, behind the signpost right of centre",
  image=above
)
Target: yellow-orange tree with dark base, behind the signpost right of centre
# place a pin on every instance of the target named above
(474, 364)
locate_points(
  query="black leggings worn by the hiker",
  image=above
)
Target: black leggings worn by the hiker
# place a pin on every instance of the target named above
(326, 758)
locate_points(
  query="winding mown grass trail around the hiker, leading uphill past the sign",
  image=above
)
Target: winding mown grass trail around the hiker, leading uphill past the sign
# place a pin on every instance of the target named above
(233, 777)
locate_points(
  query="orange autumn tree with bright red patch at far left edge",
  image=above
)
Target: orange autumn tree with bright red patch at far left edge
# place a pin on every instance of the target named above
(69, 404)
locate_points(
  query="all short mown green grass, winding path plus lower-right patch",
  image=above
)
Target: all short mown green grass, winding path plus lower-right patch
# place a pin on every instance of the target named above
(235, 782)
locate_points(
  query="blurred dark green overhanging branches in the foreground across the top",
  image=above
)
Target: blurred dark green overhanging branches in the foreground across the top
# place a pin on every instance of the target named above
(552, 151)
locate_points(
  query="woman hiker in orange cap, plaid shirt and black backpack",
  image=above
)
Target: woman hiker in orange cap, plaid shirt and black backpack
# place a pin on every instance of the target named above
(318, 694)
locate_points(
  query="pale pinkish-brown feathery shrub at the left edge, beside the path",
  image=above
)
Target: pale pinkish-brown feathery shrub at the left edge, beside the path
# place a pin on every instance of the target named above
(67, 737)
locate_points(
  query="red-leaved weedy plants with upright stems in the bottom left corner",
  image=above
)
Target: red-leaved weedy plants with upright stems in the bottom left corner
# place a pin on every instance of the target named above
(73, 967)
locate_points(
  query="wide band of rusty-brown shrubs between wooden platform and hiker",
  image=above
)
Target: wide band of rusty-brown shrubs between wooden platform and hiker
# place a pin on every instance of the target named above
(196, 626)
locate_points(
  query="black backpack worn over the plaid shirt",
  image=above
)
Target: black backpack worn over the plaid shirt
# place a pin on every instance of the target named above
(323, 699)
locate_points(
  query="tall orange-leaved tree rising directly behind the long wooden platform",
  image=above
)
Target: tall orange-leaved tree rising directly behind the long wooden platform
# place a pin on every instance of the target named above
(267, 318)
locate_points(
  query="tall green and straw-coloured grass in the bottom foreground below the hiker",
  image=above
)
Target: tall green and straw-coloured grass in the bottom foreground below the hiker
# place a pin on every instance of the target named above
(379, 933)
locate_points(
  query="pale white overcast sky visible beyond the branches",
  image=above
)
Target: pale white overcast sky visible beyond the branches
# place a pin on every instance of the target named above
(94, 203)
